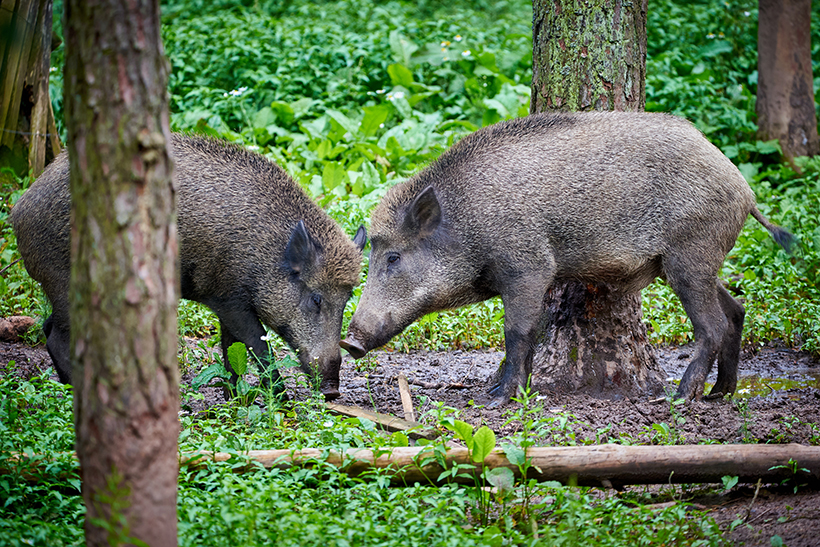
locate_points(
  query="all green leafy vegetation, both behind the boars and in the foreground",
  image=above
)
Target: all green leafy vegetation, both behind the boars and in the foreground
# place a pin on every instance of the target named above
(352, 97)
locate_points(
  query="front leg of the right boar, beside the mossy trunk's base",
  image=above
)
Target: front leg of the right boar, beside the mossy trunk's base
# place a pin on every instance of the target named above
(522, 313)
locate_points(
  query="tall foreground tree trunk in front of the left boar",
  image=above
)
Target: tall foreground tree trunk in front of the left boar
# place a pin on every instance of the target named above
(124, 287)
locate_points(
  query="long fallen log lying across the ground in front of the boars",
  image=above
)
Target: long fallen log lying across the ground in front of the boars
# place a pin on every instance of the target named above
(579, 465)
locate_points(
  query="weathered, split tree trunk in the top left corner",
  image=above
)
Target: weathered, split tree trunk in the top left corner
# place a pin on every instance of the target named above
(28, 134)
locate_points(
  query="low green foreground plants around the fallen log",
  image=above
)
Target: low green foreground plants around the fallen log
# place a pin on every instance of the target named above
(318, 505)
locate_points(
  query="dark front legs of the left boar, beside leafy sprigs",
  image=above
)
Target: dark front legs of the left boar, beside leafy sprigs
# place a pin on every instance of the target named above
(244, 326)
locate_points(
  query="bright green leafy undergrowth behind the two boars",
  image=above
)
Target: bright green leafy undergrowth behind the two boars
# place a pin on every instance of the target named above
(353, 97)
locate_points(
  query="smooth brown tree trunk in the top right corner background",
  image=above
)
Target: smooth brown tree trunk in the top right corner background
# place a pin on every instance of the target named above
(785, 89)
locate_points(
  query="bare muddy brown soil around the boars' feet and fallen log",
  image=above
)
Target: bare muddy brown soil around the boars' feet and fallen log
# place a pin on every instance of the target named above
(780, 389)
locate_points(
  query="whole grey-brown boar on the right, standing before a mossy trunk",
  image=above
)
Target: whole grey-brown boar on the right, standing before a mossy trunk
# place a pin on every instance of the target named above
(509, 210)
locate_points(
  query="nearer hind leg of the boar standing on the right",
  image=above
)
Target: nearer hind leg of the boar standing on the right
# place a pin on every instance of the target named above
(699, 297)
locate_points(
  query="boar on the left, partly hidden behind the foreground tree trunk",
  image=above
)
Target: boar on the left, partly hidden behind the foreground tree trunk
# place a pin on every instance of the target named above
(253, 247)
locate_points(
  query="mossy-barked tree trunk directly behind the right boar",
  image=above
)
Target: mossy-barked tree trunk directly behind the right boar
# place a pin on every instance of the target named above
(591, 56)
